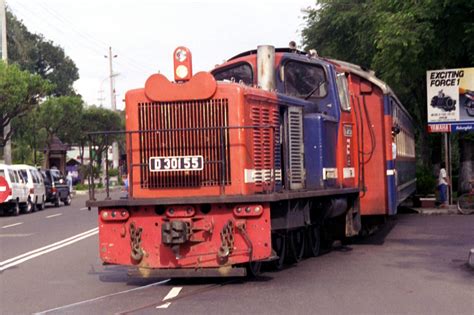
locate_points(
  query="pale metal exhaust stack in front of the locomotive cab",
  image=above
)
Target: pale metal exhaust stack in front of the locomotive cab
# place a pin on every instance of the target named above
(265, 67)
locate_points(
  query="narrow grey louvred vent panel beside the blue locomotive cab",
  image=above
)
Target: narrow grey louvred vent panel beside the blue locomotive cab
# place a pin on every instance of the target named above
(296, 148)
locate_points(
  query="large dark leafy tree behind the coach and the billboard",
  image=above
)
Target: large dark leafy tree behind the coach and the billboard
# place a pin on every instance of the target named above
(400, 40)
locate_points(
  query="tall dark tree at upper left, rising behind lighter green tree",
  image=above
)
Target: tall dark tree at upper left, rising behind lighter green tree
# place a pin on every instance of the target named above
(37, 55)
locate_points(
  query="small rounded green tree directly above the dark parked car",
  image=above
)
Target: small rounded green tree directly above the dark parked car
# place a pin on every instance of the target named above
(61, 117)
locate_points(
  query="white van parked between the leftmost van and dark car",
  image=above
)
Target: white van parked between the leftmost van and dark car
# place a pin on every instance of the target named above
(35, 183)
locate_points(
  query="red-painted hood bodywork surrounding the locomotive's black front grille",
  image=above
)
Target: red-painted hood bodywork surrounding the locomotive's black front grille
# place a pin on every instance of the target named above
(244, 144)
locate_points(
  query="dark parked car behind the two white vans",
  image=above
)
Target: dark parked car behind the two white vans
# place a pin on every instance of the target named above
(56, 187)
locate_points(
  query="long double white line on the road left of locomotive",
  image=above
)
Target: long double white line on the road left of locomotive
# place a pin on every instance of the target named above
(46, 249)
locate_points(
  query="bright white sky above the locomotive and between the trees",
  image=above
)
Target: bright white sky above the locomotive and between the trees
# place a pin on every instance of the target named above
(144, 33)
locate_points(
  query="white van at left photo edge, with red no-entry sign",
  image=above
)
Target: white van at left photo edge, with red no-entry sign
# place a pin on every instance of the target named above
(13, 191)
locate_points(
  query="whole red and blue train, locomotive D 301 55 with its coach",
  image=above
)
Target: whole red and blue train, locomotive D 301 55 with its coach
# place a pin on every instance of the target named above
(262, 159)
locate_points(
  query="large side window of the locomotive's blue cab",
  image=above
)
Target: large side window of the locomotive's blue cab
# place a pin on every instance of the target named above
(303, 80)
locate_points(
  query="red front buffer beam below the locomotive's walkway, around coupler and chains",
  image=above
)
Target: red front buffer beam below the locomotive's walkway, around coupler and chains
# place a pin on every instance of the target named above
(201, 251)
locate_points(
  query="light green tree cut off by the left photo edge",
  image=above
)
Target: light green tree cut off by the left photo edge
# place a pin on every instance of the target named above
(20, 91)
